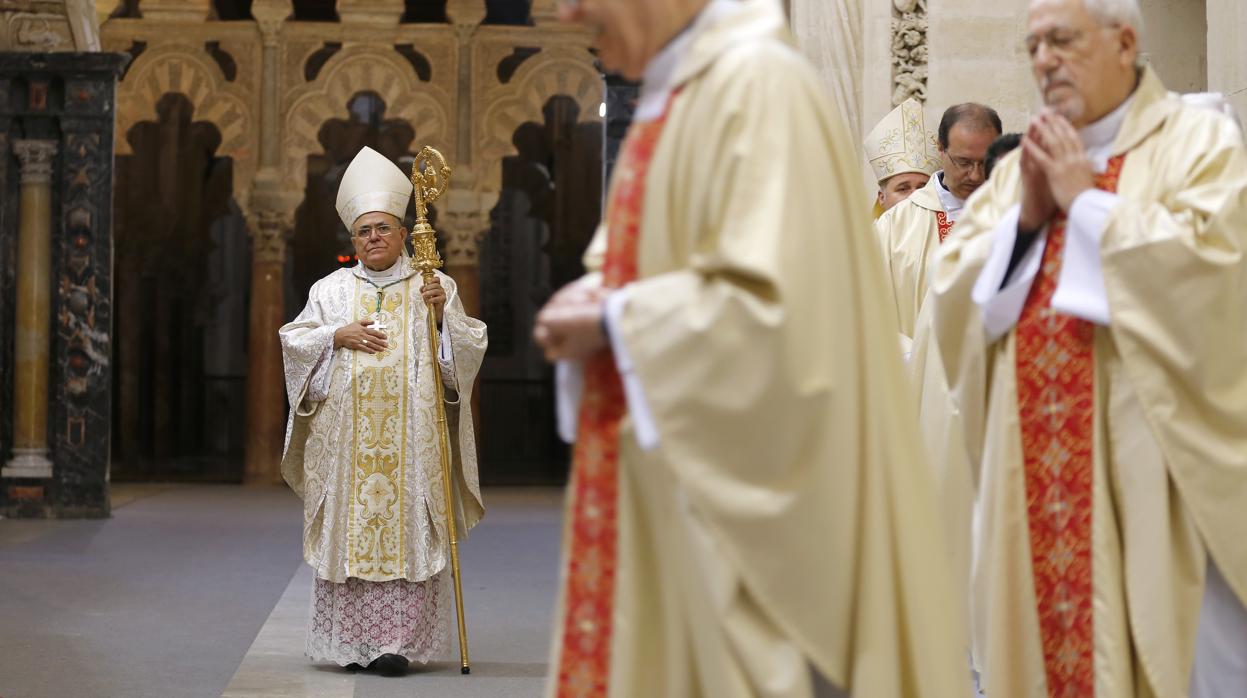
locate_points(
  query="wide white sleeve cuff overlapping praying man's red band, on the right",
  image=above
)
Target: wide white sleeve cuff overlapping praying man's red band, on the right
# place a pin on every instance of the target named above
(1081, 290)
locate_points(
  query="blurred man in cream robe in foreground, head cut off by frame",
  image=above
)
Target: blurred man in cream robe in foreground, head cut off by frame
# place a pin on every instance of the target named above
(746, 517)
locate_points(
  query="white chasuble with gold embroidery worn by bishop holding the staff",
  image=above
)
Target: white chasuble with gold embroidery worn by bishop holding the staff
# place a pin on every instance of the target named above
(362, 444)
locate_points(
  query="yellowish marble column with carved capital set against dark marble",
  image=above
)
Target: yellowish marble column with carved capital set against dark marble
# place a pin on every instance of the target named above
(33, 312)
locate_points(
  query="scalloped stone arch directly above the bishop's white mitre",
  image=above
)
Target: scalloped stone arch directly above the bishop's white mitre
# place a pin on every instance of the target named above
(354, 70)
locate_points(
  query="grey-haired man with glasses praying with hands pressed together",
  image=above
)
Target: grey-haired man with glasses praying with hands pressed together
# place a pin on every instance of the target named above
(1092, 315)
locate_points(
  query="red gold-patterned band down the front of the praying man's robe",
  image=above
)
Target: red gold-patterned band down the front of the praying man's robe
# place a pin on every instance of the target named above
(1057, 411)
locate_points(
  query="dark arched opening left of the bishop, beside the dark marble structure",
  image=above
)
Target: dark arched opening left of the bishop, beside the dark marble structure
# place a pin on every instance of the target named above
(181, 270)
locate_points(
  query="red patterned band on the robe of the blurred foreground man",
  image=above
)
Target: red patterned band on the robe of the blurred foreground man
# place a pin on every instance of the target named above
(584, 657)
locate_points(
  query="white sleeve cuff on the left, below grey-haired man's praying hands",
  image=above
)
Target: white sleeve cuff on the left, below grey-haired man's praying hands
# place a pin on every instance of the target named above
(1002, 304)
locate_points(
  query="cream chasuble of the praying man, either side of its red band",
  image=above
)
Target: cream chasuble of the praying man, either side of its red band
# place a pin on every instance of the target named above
(1169, 472)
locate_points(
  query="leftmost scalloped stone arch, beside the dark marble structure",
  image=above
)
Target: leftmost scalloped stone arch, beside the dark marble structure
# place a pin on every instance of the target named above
(173, 69)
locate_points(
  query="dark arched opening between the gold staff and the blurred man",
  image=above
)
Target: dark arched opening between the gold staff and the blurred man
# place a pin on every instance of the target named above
(546, 216)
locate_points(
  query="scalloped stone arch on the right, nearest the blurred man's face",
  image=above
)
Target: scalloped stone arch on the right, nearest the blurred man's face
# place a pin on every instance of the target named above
(544, 77)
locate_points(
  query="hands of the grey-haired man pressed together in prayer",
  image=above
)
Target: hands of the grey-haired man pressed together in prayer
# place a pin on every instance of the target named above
(1056, 169)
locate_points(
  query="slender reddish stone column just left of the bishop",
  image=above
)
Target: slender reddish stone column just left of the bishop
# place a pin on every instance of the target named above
(271, 224)
